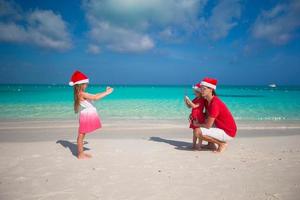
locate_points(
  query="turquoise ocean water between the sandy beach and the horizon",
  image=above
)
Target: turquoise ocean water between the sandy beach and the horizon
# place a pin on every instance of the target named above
(147, 102)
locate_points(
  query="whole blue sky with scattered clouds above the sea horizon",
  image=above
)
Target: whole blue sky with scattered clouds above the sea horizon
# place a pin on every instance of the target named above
(150, 42)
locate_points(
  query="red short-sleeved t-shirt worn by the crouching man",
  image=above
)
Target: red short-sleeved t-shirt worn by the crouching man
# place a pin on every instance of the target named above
(223, 118)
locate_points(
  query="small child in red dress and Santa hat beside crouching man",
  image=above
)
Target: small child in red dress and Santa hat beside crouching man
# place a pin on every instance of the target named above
(197, 115)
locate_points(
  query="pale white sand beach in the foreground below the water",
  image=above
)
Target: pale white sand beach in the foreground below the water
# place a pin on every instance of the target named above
(147, 160)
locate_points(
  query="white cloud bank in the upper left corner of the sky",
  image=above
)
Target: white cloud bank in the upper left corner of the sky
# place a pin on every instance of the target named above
(43, 28)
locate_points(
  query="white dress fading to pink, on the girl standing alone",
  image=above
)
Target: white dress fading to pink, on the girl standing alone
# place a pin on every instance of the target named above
(89, 119)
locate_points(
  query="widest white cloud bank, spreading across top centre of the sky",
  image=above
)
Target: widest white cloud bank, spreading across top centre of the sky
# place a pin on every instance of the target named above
(135, 25)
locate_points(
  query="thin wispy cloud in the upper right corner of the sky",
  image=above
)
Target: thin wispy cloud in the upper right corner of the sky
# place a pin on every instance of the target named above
(279, 24)
